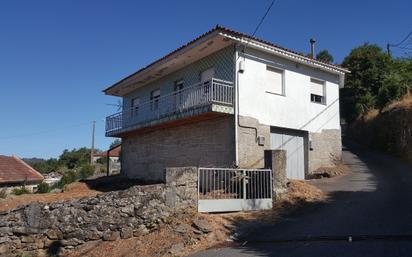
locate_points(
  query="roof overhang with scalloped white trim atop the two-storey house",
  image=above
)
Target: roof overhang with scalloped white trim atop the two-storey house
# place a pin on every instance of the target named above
(206, 44)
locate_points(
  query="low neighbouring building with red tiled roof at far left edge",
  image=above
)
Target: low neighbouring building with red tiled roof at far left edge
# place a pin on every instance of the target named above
(16, 173)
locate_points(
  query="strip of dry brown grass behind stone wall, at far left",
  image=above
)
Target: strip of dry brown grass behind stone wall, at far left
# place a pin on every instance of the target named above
(71, 191)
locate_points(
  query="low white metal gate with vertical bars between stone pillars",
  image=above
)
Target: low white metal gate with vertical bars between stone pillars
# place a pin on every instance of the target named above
(224, 190)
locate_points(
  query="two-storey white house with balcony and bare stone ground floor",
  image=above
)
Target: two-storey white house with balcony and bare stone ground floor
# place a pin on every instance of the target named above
(221, 100)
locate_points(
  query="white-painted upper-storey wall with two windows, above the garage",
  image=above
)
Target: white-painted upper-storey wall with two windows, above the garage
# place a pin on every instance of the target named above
(294, 110)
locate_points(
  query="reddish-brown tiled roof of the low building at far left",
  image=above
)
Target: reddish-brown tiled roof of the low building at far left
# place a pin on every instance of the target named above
(14, 170)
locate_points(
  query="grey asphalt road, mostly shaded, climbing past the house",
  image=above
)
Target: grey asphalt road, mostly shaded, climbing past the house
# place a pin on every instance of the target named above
(369, 214)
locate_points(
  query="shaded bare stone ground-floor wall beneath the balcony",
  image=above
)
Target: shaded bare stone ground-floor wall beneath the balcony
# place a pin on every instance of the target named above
(208, 143)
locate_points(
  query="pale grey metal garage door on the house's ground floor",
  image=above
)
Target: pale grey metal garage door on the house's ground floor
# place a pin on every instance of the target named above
(293, 143)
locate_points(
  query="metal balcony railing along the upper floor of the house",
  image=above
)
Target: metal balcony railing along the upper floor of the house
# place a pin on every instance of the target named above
(198, 95)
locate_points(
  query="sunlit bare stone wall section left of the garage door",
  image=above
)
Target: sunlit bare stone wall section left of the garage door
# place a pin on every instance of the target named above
(251, 154)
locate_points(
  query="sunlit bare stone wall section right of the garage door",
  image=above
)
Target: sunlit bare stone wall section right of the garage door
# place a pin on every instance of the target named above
(326, 148)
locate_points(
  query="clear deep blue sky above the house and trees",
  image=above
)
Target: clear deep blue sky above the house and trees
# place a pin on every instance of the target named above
(57, 56)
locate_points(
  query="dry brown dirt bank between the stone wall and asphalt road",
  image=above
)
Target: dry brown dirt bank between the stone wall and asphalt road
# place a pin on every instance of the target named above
(158, 243)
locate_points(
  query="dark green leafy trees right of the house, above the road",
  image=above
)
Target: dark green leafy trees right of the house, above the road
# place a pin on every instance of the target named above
(375, 80)
